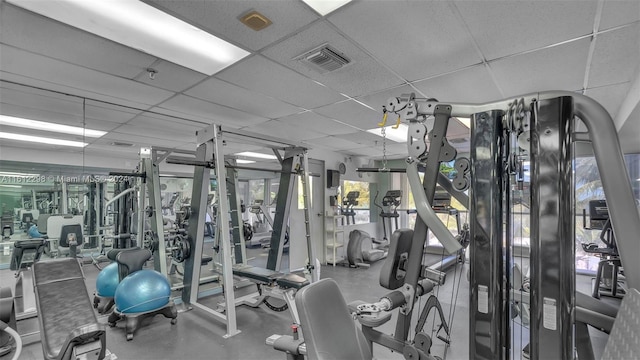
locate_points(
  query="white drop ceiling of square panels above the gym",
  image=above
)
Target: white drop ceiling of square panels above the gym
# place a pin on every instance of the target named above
(458, 51)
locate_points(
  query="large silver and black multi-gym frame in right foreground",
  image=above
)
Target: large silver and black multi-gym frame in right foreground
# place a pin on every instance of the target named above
(500, 134)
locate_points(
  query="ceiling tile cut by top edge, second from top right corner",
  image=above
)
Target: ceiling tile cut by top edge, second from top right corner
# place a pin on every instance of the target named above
(508, 27)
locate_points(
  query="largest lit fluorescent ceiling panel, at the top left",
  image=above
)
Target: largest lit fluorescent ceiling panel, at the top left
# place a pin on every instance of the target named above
(142, 27)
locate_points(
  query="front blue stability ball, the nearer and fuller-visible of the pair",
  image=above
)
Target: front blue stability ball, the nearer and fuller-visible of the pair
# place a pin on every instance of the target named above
(143, 291)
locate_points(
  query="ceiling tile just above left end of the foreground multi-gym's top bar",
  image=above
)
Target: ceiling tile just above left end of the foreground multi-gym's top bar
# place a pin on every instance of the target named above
(471, 85)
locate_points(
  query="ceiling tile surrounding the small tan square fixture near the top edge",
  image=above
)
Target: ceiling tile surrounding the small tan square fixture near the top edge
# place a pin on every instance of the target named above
(221, 18)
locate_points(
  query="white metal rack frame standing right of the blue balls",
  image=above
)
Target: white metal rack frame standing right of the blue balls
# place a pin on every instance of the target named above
(210, 155)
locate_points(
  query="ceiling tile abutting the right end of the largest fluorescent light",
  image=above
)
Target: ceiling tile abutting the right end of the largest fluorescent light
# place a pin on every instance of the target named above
(259, 74)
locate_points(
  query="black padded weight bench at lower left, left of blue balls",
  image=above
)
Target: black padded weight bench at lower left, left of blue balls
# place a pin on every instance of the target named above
(69, 328)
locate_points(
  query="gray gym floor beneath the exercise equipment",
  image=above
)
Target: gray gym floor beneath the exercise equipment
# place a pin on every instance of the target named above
(196, 336)
